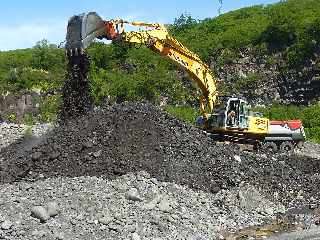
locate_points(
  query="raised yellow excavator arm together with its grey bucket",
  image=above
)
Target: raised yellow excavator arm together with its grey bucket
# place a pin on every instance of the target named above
(83, 29)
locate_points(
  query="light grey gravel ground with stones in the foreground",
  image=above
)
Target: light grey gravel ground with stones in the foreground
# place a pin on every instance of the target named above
(133, 206)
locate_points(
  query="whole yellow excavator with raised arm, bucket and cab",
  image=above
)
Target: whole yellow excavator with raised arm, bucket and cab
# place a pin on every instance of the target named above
(224, 118)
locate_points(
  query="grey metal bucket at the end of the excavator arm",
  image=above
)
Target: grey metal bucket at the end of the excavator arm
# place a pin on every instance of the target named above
(82, 30)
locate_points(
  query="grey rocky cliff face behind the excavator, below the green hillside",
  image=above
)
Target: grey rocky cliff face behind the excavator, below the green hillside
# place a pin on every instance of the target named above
(264, 79)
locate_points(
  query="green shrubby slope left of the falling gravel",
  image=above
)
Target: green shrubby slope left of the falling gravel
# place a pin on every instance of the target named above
(41, 67)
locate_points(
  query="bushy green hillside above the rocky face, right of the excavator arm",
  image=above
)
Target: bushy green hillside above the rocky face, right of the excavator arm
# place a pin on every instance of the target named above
(283, 26)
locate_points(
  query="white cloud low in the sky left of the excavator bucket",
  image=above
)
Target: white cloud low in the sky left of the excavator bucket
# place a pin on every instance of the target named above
(25, 35)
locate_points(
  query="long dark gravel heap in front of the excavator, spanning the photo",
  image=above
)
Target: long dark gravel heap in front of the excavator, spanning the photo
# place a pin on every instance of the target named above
(132, 137)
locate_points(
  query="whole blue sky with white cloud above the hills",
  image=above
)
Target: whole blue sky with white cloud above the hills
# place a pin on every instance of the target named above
(23, 23)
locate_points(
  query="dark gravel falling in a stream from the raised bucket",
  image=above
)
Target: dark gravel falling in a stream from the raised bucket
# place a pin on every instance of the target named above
(76, 90)
